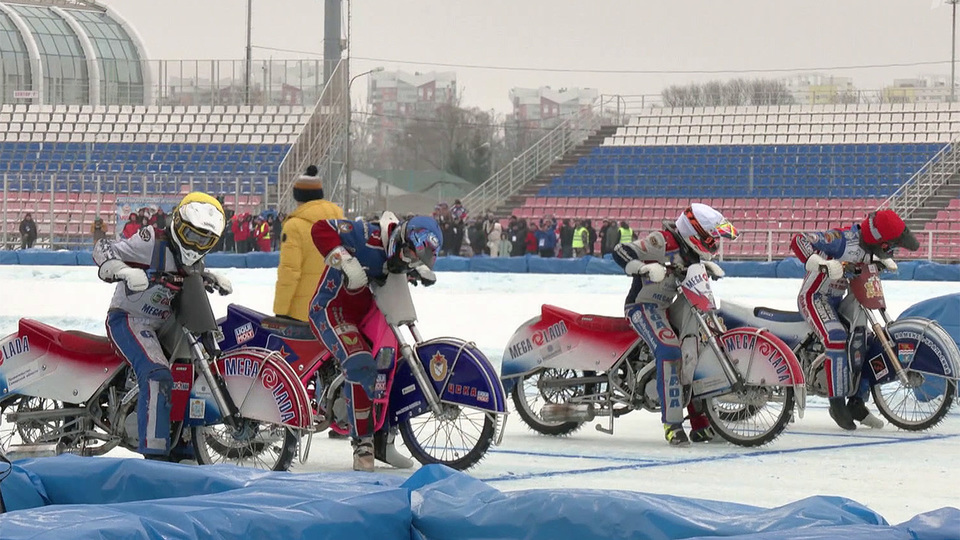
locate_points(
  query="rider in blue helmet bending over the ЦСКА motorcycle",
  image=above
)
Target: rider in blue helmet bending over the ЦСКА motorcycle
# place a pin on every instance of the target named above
(357, 252)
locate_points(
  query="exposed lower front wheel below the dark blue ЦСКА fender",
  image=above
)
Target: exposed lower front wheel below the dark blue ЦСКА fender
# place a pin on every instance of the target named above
(458, 438)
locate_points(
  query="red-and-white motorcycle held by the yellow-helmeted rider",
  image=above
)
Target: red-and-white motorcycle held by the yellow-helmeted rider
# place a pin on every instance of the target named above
(69, 391)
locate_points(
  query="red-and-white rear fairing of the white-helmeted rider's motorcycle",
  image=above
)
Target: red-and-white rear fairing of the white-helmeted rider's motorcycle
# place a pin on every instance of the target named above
(559, 337)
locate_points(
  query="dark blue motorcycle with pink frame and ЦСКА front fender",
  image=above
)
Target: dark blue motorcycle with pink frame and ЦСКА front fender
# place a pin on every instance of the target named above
(443, 394)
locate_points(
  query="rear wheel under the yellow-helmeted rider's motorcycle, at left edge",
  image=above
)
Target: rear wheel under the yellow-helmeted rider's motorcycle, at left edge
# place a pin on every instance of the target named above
(49, 431)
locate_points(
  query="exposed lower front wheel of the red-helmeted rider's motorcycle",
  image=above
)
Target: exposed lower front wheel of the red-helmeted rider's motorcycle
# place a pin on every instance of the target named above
(920, 404)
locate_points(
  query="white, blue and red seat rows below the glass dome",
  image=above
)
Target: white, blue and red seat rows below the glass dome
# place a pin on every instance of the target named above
(55, 159)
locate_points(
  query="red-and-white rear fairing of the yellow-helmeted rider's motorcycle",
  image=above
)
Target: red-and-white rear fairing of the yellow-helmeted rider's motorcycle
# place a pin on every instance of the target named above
(68, 366)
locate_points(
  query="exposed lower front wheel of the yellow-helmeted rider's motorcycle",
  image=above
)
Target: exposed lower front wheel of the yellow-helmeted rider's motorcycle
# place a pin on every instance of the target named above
(254, 444)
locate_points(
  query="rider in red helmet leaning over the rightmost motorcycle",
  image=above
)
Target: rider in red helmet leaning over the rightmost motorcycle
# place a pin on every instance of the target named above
(823, 254)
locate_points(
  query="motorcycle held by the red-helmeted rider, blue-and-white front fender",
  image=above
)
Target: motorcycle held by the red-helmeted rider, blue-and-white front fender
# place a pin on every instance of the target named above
(911, 364)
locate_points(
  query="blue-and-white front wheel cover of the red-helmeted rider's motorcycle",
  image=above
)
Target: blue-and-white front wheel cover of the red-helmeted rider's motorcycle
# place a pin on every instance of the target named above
(921, 345)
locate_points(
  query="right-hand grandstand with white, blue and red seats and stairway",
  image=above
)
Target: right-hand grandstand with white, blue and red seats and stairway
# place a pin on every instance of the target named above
(774, 170)
